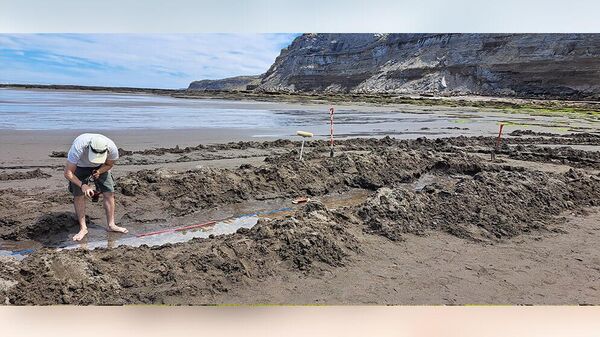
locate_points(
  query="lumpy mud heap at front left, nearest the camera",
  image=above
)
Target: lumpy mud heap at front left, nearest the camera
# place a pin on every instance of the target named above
(311, 241)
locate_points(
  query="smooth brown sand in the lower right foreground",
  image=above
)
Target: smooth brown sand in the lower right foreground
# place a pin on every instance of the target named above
(546, 268)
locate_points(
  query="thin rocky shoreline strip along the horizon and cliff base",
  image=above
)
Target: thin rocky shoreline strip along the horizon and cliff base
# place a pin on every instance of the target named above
(517, 103)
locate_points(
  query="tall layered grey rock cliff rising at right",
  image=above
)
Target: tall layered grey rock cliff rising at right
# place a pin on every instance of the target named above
(522, 65)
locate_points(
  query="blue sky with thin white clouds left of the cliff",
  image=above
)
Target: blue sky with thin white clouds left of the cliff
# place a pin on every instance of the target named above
(137, 60)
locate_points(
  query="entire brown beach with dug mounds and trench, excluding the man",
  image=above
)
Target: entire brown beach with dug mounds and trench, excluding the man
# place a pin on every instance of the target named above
(390, 221)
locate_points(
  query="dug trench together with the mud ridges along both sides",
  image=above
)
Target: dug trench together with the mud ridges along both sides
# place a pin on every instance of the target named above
(409, 187)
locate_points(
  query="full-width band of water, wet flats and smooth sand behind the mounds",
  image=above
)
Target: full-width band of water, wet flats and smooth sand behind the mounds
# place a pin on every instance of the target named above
(189, 122)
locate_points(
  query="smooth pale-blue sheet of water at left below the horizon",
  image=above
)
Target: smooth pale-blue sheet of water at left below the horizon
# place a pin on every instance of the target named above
(57, 110)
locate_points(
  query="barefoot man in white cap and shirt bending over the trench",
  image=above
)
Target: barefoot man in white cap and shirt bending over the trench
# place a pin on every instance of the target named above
(92, 156)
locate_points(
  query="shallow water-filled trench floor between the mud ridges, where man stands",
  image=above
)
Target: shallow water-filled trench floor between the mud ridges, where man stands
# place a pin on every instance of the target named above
(55, 230)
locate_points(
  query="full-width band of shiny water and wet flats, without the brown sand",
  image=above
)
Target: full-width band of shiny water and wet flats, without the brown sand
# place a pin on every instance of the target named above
(59, 110)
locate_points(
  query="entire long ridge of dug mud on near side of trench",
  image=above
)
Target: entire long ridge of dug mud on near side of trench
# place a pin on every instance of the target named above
(490, 204)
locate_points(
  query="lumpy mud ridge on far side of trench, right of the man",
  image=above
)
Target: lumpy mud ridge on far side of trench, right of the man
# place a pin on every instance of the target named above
(281, 177)
